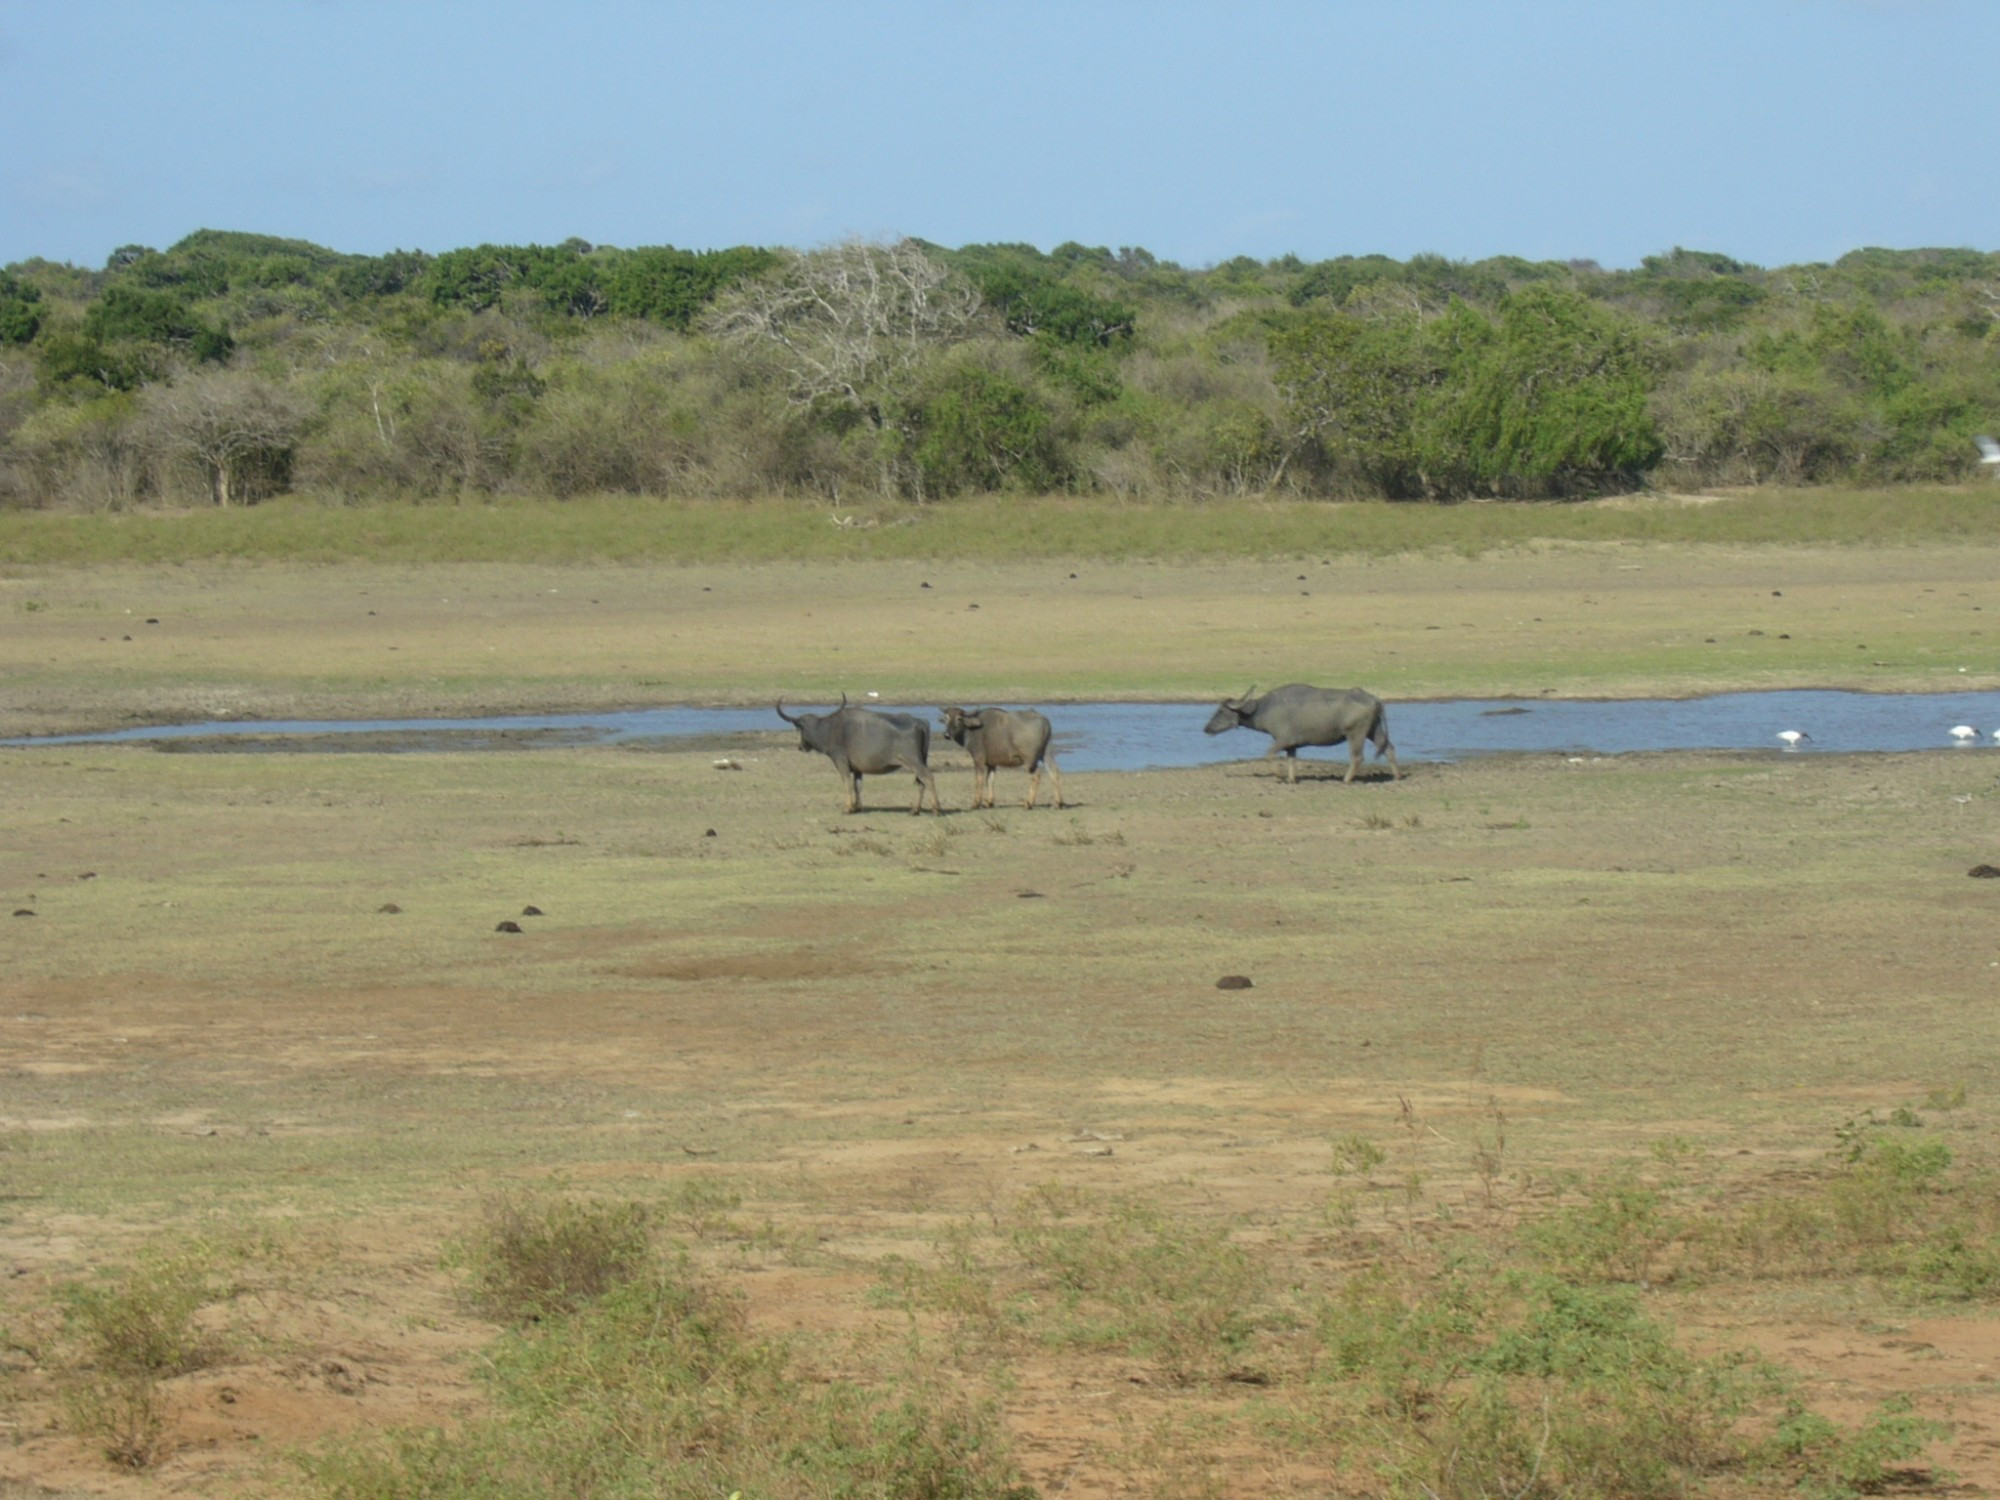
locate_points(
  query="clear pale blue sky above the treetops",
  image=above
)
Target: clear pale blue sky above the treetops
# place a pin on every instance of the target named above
(1607, 129)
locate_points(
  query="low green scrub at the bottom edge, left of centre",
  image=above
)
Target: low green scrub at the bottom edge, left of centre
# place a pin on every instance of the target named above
(661, 1389)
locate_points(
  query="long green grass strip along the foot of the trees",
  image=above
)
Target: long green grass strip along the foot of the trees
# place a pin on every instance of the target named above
(623, 529)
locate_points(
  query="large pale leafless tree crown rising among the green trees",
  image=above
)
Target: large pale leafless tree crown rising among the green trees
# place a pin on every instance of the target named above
(843, 323)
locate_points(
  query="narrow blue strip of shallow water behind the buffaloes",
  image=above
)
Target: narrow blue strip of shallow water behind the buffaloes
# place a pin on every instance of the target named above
(1133, 737)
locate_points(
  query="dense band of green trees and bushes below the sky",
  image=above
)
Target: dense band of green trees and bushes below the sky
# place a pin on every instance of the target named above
(235, 367)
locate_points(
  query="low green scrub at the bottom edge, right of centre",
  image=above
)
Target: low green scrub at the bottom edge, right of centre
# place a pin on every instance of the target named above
(1465, 1381)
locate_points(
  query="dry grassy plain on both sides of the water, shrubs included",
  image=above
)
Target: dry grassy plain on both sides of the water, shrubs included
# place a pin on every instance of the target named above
(1587, 1127)
